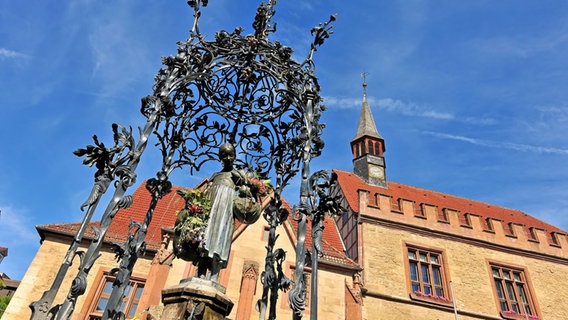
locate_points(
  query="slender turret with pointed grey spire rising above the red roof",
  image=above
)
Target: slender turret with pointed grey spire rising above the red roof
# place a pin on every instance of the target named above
(368, 147)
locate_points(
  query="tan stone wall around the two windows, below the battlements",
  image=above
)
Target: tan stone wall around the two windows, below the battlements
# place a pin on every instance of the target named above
(467, 266)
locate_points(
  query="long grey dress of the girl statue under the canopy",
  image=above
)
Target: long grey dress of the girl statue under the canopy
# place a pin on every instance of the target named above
(219, 231)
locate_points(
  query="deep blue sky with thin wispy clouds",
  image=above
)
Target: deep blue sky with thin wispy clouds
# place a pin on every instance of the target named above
(470, 96)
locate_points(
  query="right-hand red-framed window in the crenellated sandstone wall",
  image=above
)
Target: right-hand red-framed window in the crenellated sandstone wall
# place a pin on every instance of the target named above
(512, 282)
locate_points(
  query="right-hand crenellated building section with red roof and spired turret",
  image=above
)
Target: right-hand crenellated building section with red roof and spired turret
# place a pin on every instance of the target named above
(429, 255)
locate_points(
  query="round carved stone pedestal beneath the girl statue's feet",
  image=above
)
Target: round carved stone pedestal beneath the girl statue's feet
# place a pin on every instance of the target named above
(196, 298)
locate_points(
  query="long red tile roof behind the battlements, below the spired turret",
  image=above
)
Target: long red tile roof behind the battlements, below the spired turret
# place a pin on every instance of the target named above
(350, 184)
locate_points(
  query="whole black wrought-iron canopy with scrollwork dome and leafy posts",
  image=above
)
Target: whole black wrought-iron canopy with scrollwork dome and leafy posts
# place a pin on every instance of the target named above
(242, 89)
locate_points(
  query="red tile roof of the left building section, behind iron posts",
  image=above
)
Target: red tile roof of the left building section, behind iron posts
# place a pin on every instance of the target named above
(165, 216)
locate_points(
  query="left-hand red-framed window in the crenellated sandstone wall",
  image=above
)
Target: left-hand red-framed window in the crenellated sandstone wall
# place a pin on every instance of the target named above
(416, 278)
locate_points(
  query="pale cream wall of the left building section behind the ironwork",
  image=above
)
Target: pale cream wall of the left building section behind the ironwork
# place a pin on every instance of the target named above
(248, 247)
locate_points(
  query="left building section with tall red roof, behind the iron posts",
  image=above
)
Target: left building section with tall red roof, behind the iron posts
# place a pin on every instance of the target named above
(159, 269)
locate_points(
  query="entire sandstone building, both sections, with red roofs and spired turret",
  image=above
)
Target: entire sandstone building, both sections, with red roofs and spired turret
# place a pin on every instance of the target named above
(398, 252)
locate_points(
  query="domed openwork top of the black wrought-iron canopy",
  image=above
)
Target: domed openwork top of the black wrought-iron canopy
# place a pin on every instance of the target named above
(245, 90)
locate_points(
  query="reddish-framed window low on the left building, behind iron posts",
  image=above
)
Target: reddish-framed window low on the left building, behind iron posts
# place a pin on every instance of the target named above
(97, 292)
